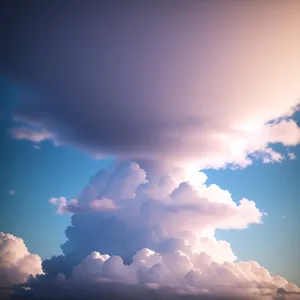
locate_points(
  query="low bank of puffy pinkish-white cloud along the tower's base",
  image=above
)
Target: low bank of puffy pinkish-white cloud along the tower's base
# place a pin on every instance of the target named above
(181, 270)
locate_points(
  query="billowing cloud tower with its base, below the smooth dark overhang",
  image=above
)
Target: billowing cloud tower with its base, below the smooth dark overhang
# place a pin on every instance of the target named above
(154, 236)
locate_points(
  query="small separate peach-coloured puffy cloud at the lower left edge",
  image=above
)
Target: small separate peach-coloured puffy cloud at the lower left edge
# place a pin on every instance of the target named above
(16, 263)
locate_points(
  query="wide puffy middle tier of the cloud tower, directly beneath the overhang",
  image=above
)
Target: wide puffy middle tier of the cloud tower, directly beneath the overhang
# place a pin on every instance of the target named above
(129, 195)
